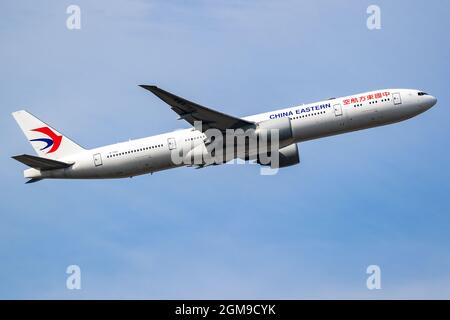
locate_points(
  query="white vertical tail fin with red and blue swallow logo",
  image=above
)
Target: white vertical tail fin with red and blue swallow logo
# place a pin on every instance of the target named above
(46, 141)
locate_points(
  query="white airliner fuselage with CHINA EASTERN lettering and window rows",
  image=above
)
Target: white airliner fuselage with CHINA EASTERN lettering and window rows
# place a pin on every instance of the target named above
(309, 121)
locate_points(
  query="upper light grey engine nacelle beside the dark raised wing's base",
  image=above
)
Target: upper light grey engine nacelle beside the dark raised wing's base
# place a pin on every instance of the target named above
(282, 125)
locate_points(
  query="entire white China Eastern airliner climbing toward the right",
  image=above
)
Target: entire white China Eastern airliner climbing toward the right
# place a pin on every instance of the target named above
(59, 157)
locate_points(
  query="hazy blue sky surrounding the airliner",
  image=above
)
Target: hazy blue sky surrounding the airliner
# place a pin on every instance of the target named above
(378, 196)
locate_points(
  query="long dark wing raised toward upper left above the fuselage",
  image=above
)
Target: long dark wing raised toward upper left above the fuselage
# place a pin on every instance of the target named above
(192, 112)
